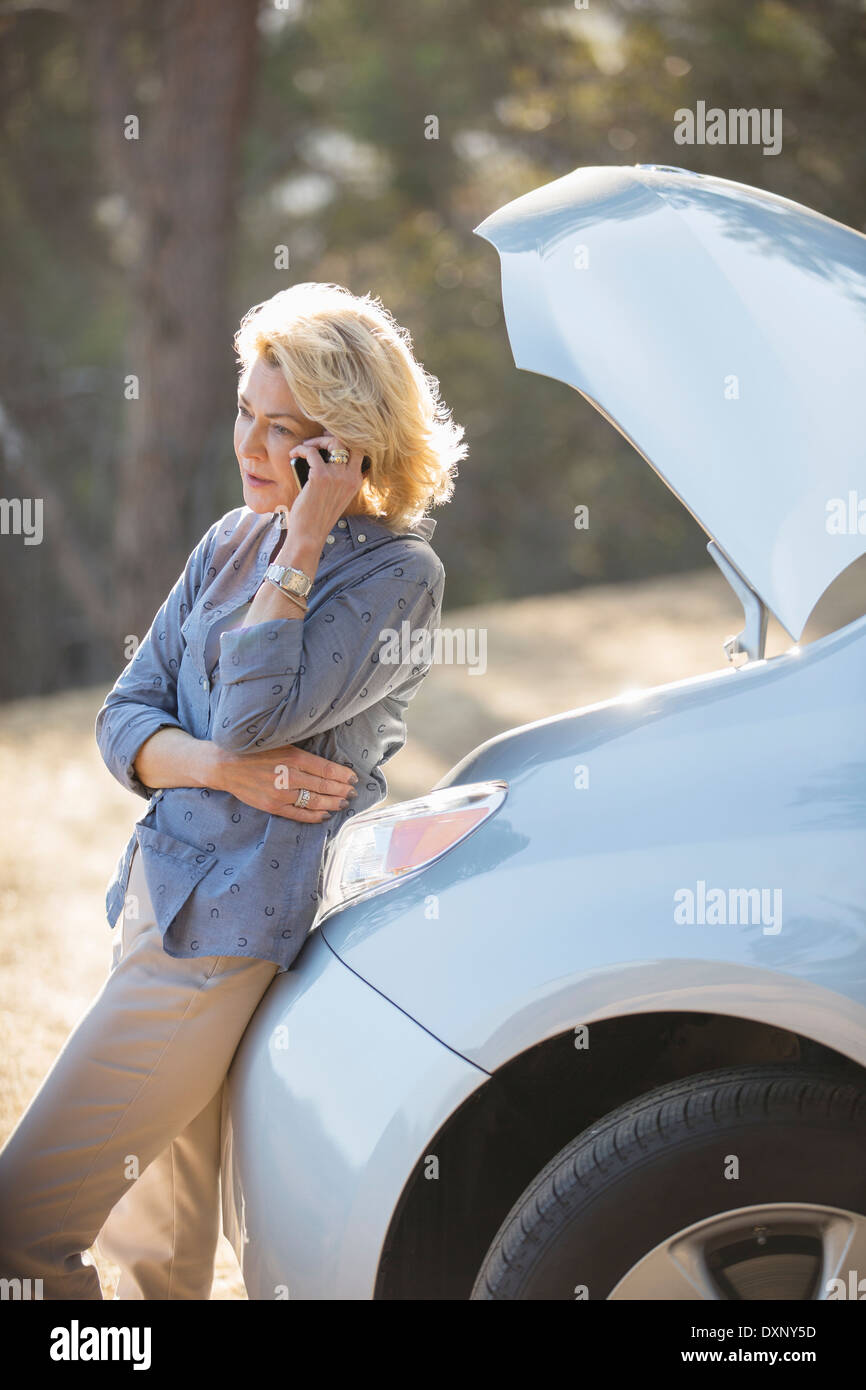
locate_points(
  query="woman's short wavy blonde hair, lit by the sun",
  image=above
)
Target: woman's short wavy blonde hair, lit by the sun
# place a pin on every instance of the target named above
(351, 366)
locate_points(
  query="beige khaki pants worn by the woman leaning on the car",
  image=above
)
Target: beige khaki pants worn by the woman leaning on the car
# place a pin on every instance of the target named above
(136, 1090)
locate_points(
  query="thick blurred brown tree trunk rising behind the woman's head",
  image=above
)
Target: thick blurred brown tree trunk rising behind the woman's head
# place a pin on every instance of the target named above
(191, 95)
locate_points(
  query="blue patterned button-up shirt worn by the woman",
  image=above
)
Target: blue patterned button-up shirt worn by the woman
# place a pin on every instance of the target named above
(227, 879)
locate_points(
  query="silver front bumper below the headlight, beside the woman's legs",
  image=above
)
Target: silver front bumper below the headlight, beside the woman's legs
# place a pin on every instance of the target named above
(330, 1103)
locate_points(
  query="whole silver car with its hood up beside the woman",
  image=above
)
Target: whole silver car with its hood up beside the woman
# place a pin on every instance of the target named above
(589, 1021)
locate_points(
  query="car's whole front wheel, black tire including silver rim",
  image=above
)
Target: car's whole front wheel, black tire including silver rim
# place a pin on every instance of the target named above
(737, 1184)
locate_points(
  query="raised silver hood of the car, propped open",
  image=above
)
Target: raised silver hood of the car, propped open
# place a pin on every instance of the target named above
(724, 332)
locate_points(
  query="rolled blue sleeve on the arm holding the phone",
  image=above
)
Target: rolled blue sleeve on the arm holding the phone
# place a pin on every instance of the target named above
(287, 679)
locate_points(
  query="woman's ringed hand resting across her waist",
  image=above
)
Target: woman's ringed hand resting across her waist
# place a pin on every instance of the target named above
(272, 779)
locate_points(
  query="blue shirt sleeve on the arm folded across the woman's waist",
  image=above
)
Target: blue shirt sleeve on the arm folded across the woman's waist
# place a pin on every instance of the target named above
(145, 696)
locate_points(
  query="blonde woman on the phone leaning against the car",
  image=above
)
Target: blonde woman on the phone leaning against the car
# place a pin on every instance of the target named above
(255, 715)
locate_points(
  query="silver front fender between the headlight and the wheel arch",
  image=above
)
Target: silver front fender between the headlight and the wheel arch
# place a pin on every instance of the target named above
(561, 908)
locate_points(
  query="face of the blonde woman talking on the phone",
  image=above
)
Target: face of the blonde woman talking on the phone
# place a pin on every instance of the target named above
(268, 432)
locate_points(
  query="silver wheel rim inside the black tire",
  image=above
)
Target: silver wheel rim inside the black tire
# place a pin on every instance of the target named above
(783, 1250)
